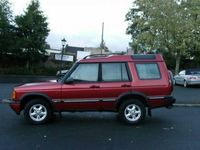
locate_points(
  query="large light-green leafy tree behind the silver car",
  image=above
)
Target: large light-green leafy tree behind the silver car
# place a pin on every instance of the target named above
(166, 26)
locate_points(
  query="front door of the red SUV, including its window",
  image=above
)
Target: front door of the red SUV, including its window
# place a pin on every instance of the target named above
(81, 93)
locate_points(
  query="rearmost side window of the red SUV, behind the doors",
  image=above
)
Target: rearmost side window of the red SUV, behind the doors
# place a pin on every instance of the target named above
(148, 71)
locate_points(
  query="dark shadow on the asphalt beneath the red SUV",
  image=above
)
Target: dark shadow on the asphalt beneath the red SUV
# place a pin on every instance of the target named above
(90, 119)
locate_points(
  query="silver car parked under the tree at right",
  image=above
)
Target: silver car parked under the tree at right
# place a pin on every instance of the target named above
(188, 77)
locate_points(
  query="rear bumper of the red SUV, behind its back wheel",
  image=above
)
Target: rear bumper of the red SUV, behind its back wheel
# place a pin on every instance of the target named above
(155, 102)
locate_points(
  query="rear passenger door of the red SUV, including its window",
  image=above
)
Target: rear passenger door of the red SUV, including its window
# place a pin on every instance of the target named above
(115, 81)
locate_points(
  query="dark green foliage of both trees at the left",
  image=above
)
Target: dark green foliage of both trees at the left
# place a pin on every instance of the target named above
(22, 37)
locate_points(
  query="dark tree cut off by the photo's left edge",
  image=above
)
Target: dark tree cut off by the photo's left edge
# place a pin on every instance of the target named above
(6, 28)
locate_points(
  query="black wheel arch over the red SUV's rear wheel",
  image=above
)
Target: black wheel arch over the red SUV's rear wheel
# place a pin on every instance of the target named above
(131, 95)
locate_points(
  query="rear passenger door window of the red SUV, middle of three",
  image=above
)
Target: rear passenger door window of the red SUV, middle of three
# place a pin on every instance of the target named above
(114, 72)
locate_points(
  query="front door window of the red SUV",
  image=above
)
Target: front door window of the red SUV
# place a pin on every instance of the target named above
(86, 72)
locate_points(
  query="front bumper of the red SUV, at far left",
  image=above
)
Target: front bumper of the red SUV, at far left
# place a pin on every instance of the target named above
(15, 105)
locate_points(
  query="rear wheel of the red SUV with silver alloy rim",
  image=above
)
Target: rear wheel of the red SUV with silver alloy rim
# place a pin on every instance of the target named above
(132, 112)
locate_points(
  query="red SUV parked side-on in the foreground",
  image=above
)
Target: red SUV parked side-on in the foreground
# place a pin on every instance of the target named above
(127, 84)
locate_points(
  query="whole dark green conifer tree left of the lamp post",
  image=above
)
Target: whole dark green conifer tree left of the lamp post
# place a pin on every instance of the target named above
(32, 30)
